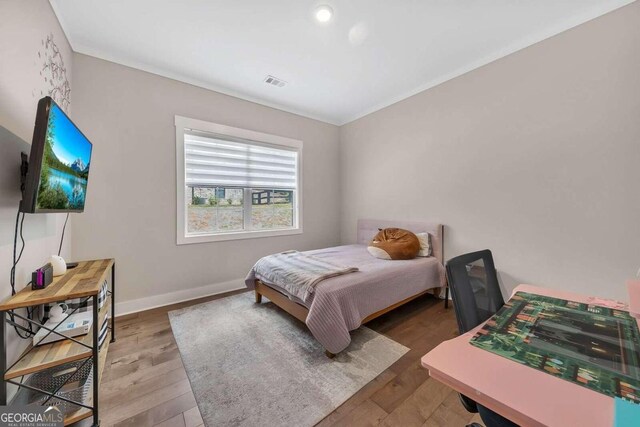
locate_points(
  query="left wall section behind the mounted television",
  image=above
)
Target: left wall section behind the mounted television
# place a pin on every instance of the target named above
(25, 26)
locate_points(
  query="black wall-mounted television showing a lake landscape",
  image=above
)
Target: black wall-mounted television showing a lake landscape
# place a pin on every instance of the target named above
(58, 166)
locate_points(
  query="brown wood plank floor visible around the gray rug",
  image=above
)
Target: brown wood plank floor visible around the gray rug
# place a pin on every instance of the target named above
(145, 384)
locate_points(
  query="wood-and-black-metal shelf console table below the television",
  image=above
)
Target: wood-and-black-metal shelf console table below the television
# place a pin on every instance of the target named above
(83, 282)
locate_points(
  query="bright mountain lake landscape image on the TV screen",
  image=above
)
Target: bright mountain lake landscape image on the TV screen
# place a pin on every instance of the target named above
(65, 165)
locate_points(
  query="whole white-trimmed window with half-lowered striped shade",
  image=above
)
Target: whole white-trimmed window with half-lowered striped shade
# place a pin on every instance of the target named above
(235, 184)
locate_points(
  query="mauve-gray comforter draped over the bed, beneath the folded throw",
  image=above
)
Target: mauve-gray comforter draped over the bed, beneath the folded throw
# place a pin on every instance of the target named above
(339, 304)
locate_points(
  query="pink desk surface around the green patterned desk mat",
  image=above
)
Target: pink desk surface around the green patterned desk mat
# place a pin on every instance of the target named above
(524, 395)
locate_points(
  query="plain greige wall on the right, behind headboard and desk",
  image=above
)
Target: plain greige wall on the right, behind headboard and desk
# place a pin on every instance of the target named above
(535, 156)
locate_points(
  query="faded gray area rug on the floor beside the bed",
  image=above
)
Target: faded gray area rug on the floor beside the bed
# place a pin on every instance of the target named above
(255, 365)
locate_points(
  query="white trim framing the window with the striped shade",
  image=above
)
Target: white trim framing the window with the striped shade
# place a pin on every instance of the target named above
(183, 123)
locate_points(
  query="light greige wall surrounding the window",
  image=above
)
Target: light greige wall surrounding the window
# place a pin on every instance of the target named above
(131, 201)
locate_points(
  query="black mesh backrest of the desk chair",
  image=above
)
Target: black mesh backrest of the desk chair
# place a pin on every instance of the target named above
(474, 288)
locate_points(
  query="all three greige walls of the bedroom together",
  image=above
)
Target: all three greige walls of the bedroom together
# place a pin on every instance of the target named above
(535, 156)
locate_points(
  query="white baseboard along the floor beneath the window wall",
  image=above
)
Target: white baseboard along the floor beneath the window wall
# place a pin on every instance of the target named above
(155, 301)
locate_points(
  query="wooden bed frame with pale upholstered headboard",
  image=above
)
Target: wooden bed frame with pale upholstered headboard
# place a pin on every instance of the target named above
(366, 231)
